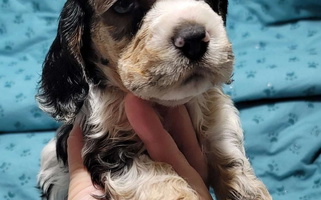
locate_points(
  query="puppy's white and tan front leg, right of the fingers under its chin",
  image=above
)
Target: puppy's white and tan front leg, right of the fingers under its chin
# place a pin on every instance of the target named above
(230, 172)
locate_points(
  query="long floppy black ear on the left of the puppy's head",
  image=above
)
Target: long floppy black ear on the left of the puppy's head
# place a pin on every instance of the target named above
(64, 85)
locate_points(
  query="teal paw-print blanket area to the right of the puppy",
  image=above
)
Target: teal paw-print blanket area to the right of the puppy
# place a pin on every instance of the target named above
(277, 88)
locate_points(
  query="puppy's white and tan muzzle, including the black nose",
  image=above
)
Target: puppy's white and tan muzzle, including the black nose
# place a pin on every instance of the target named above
(180, 51)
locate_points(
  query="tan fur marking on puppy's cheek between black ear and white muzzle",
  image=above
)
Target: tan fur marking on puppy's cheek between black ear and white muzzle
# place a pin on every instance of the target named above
(111, 35)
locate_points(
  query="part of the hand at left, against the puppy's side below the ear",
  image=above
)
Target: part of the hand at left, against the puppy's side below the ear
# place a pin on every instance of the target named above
(80, 186)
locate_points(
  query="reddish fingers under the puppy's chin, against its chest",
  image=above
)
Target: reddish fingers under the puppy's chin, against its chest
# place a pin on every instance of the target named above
(182, 150)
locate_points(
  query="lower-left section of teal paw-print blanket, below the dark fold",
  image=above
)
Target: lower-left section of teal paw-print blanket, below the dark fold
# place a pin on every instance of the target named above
(19, 163)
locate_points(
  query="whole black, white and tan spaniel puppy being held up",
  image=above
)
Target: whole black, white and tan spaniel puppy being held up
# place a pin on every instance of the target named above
(170, 52)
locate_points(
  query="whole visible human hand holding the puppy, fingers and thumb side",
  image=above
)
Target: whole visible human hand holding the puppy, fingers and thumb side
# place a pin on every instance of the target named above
(190, 164)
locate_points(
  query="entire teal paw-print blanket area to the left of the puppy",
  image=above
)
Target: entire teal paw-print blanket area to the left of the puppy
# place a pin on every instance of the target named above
(27, 29)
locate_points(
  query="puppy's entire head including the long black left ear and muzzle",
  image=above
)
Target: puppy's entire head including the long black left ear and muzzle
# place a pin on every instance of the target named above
(166, 51)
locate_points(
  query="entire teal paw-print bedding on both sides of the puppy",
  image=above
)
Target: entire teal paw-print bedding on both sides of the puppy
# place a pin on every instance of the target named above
(277, 88)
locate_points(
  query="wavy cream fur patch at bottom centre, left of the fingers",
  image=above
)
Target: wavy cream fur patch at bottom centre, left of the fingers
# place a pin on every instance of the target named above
(149, 180)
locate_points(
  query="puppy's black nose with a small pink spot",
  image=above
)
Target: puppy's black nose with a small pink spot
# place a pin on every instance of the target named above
(192, 40)
